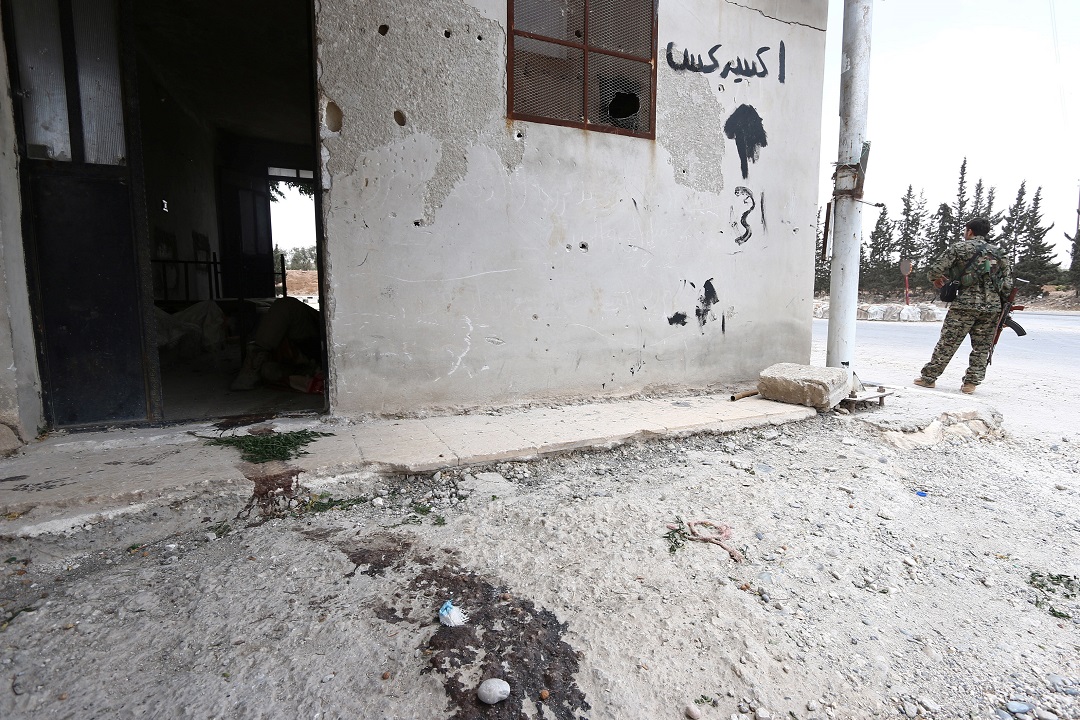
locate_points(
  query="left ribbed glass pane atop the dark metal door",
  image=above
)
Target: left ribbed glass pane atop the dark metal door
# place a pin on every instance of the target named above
(42, 79)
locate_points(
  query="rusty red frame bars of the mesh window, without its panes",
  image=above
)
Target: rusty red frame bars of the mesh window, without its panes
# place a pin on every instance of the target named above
(587, 49)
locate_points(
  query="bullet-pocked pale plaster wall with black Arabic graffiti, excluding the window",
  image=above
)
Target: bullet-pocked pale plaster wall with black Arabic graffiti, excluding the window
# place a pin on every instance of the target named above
(476, 261)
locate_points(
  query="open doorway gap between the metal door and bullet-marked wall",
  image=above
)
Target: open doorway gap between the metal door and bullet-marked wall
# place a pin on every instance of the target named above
(228, 138)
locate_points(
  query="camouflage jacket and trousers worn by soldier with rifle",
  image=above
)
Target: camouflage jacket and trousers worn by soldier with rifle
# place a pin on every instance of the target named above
(974, 314)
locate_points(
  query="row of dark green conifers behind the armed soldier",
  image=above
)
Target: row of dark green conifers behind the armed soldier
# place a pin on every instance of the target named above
(921, 236)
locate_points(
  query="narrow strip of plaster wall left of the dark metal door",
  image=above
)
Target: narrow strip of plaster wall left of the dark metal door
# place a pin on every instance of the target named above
(20, 386)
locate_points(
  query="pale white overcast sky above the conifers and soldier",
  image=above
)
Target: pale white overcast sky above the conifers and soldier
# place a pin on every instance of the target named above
(993, 81)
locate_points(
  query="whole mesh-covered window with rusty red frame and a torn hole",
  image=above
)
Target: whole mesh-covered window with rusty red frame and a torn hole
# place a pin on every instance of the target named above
(587, 64)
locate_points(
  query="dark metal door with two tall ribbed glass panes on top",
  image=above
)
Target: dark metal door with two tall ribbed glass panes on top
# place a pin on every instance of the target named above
(83, 254)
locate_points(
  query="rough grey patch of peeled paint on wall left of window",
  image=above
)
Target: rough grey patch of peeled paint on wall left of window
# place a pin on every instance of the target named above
(410, 52)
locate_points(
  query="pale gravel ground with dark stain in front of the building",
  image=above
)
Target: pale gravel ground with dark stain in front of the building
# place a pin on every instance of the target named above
(884, 575)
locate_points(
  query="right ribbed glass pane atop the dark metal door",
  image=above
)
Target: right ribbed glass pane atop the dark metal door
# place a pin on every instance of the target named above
(100, 94)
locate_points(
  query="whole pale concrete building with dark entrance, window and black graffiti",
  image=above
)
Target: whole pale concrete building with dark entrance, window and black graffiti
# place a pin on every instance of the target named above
(519, 200)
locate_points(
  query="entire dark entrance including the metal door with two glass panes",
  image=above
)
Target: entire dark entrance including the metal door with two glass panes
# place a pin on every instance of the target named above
(151, 133)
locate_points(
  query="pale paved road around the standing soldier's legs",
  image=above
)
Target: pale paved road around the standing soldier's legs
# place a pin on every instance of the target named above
(1034, 382)
